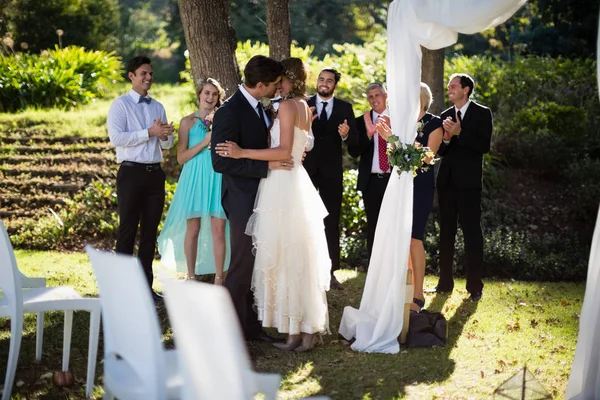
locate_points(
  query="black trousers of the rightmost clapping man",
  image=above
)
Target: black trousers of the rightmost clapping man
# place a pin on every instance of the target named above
(461, 206)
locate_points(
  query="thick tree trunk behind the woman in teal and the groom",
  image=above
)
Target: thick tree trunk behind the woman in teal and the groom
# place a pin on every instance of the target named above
(210, 39)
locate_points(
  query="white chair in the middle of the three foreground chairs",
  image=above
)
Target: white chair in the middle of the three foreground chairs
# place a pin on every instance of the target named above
(136, 365)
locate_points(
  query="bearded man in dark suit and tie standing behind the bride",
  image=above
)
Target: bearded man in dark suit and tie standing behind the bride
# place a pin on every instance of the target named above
(334, 124)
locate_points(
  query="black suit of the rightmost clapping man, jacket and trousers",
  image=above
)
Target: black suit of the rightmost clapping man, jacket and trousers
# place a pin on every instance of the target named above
(459, 186)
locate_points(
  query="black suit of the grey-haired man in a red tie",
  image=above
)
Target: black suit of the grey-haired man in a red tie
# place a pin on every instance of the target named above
(371, 185)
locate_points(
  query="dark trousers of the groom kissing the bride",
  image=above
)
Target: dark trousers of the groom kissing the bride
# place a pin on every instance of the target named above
(241, 265)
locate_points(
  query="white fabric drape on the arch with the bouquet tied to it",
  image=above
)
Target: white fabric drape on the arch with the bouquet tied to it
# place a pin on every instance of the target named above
(411, 23)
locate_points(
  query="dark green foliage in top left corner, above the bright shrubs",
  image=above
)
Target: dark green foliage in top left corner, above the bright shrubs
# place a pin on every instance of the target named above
(87, 23)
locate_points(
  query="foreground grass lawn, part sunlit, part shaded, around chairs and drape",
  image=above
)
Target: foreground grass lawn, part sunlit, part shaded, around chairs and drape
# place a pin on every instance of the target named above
(515, 324)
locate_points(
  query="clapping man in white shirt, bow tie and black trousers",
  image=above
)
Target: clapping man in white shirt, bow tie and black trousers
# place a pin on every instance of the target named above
(138, 128)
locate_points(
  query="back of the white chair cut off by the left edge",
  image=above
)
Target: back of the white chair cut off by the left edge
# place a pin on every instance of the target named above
(10, 282)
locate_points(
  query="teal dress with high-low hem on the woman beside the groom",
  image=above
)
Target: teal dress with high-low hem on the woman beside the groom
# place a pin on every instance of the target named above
(198, 195)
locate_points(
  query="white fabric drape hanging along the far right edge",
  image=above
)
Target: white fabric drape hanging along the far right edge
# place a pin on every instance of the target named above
(584, 382)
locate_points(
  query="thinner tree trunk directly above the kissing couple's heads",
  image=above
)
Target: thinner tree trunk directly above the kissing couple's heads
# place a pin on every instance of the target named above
(278, 28)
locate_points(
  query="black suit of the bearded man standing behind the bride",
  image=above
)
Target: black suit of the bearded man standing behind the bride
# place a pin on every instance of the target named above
(324, 166)
